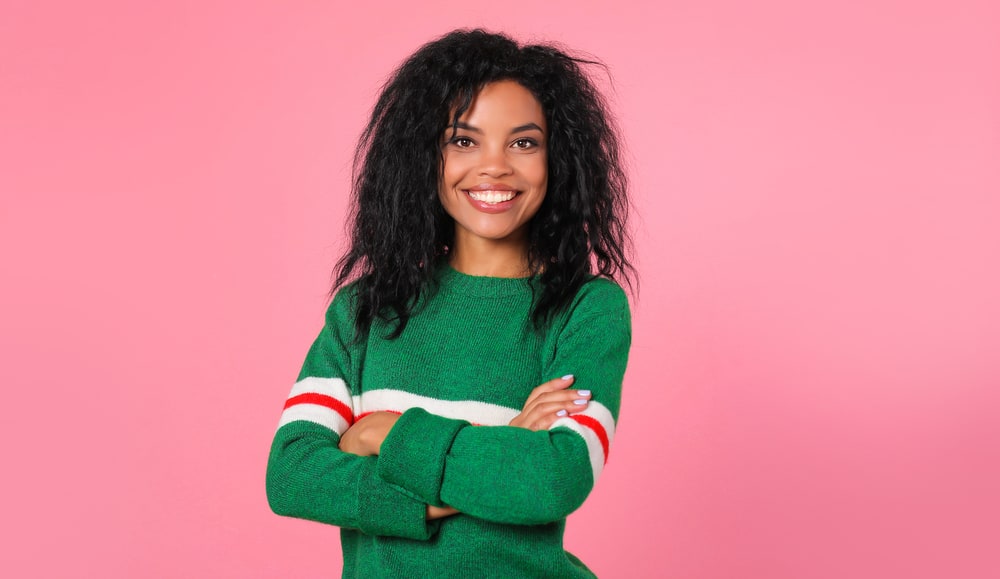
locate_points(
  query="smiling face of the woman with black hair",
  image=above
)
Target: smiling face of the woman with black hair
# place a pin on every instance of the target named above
(495, 172)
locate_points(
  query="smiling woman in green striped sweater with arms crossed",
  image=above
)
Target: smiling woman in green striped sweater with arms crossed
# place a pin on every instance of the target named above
(460, 400)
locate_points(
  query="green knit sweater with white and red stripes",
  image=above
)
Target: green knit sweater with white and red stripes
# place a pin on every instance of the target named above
(458, 374)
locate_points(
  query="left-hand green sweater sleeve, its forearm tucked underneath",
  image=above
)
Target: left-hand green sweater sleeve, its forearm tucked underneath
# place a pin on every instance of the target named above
(308, 476)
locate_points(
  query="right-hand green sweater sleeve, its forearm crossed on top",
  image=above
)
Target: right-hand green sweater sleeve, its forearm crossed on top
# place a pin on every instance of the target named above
(514, 475)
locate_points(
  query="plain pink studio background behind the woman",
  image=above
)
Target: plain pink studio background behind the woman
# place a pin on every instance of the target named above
(813, 389)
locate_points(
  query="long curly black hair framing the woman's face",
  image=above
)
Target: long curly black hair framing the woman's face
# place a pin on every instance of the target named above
(399, 227)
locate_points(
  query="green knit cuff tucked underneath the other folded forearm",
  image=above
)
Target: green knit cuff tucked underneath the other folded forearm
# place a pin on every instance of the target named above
(388, 510)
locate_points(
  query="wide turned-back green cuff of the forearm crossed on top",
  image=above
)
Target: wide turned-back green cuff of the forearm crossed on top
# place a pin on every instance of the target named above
(413, 454)
